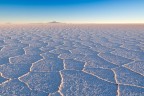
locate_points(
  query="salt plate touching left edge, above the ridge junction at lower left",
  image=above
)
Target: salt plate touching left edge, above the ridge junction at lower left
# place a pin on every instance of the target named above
(14, 70)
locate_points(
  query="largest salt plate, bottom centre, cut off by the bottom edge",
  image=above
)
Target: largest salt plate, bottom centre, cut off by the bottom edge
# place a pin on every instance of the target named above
(78, 83)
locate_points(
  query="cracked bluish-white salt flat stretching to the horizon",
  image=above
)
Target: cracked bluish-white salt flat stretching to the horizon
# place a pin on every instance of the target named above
(71, 60)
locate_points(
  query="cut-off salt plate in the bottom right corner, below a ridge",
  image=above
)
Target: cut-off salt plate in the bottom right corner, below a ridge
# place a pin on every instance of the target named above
(131, 91)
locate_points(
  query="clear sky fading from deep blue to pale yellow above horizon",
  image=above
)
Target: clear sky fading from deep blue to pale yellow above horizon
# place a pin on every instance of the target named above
(72, 11)
